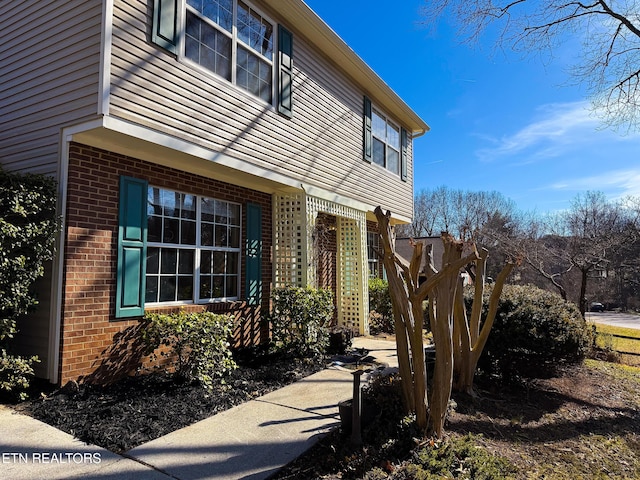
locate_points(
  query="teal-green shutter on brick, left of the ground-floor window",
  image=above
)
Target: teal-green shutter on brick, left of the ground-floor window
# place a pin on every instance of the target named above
(132, 246)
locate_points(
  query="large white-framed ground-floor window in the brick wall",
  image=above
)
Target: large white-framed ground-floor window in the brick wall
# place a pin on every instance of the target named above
(193, 248)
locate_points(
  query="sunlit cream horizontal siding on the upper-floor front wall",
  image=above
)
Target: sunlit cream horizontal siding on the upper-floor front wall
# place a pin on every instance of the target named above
(321, 145)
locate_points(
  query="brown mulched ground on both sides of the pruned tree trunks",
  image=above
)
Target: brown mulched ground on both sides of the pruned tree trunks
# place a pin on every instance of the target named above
(527, 423)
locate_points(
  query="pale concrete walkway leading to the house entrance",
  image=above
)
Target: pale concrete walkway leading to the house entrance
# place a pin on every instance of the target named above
(250, 441)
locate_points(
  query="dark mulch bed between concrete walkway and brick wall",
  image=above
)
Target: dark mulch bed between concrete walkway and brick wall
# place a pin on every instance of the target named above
(141, 408)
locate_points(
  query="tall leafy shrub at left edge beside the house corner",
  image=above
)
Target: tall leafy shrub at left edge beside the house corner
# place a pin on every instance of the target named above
(28, 227)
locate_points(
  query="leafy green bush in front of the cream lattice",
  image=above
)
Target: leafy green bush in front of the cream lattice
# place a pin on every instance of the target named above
(300, 320)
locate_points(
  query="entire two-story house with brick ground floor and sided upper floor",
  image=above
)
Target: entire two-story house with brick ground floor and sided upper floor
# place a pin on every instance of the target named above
(199, 146)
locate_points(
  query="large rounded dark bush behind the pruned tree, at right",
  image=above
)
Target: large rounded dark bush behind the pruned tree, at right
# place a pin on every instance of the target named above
(535, 331)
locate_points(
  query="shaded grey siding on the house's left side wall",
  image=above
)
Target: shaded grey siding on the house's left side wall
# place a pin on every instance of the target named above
(49, 77)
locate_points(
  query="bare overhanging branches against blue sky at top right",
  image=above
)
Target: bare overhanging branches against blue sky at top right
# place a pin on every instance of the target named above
(608, 63)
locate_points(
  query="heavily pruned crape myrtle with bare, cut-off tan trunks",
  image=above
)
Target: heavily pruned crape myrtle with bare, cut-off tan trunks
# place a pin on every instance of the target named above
(459, 340)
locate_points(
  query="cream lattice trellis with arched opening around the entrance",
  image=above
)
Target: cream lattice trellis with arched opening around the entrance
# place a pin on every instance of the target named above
(294, 221)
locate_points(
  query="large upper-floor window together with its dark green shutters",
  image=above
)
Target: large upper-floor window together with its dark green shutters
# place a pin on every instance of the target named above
(233, 40)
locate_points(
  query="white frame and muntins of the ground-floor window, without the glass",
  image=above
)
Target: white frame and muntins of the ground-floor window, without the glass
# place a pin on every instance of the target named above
(198, 248)
